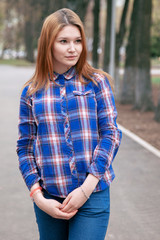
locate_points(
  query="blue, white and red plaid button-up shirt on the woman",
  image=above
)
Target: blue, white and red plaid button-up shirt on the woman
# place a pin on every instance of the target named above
(66, 132)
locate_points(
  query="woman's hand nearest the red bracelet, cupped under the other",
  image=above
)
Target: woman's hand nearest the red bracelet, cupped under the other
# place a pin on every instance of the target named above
(52, 207)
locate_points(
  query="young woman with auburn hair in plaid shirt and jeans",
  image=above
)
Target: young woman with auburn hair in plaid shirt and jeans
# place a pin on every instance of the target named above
(68, 136)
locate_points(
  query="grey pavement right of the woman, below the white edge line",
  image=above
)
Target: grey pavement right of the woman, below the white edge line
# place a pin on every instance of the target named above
(135, 194)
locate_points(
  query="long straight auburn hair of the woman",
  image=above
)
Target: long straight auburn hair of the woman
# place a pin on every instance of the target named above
(44, 63)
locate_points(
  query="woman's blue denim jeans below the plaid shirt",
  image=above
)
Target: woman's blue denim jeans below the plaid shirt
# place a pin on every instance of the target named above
(90, 222)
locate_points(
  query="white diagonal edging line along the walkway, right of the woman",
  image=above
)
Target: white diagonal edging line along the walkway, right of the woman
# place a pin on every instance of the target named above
(139, 140)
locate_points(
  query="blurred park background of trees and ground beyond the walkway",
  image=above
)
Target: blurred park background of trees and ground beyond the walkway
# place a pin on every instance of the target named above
(123, 38)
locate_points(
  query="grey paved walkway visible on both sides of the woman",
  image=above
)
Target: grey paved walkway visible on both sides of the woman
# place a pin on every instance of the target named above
(135, 193)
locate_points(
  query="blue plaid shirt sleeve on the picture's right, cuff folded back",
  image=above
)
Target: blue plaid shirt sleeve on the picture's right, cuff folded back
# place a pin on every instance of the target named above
(109, 134)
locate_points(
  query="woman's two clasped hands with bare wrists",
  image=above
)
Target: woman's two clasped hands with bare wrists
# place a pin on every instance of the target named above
(72, 202)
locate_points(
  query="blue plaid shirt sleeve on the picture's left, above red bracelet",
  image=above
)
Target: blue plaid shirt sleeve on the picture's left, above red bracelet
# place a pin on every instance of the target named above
(25, 144)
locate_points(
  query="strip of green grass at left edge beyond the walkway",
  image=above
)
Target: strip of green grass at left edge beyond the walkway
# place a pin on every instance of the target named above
(16, 62)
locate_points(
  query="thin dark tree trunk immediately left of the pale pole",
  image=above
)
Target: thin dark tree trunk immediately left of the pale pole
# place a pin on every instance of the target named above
(107, 37)
